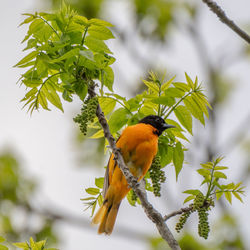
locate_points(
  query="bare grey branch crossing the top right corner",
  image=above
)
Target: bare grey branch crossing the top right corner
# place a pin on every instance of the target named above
(230, 23)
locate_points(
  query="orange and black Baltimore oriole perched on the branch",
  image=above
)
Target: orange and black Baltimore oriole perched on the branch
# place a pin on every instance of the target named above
(138, 144)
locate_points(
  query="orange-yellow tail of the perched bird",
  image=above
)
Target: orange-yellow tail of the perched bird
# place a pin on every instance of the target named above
(107, 213)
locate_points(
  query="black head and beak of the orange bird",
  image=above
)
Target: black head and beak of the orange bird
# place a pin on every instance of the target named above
(157, 122)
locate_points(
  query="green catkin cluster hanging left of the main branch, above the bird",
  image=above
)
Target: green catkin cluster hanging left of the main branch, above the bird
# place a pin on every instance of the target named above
(88, 112)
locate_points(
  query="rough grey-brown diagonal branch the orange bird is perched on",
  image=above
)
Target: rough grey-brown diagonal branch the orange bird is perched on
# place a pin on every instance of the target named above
(152, 214)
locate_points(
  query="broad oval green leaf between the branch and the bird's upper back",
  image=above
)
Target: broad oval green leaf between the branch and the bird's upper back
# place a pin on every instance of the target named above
(118, 119)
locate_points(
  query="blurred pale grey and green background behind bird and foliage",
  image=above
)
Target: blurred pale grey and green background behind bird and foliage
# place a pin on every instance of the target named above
(45, 164)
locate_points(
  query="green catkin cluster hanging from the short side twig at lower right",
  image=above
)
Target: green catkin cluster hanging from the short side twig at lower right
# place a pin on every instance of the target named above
(201, 206)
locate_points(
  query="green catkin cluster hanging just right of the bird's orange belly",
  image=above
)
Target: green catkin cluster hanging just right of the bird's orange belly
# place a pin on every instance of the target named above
(157, 175)
